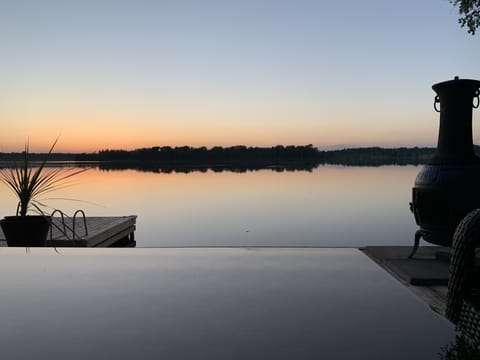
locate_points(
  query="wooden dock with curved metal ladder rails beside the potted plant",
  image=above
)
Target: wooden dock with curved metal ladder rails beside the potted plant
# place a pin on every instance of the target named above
(91, 232)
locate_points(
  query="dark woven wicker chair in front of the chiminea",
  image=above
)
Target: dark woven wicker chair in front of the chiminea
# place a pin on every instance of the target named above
(463, 299)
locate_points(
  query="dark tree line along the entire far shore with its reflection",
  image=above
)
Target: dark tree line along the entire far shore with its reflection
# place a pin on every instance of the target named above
(240, 157)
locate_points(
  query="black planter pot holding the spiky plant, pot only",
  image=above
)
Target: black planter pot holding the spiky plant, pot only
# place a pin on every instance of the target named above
(26, 231)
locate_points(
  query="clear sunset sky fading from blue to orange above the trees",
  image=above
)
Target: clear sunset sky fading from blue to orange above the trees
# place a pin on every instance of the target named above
(111, 74)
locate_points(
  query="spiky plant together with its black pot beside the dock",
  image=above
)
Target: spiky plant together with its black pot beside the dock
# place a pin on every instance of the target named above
(29, 180)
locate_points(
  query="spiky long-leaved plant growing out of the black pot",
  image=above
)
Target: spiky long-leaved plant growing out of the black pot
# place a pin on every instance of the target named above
(30, 181)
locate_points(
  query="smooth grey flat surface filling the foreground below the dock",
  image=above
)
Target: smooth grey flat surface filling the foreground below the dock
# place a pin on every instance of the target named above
(234, 303)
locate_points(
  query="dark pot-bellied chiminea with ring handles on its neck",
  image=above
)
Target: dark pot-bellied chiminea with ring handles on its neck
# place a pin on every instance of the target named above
(448, 188)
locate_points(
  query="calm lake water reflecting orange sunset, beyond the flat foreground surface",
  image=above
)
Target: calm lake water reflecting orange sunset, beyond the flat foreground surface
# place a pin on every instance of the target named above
(330, 206)
